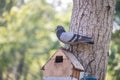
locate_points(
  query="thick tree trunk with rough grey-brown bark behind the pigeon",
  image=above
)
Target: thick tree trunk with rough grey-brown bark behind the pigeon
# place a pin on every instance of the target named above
(93, 18)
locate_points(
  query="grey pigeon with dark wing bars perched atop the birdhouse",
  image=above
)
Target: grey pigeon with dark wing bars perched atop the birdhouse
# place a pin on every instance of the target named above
(71, 38)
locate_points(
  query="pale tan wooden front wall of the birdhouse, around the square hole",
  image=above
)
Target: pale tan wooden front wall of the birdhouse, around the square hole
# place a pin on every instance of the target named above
(58, 69)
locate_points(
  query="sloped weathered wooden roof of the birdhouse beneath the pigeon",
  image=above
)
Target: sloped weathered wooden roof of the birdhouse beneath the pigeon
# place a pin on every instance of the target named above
(74, 61)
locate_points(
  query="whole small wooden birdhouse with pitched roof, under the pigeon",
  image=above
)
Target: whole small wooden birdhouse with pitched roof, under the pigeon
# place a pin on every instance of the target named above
(63, 65)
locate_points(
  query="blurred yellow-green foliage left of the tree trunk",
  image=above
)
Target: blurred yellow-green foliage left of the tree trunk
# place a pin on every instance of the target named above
(28, 39)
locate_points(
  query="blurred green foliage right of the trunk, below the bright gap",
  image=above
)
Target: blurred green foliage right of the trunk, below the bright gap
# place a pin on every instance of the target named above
(114, 59)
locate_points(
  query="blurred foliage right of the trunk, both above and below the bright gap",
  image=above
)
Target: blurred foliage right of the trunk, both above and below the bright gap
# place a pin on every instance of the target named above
(114, 59)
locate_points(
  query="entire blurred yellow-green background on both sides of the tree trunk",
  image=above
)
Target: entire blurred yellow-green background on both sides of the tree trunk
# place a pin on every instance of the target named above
(27, 37)
